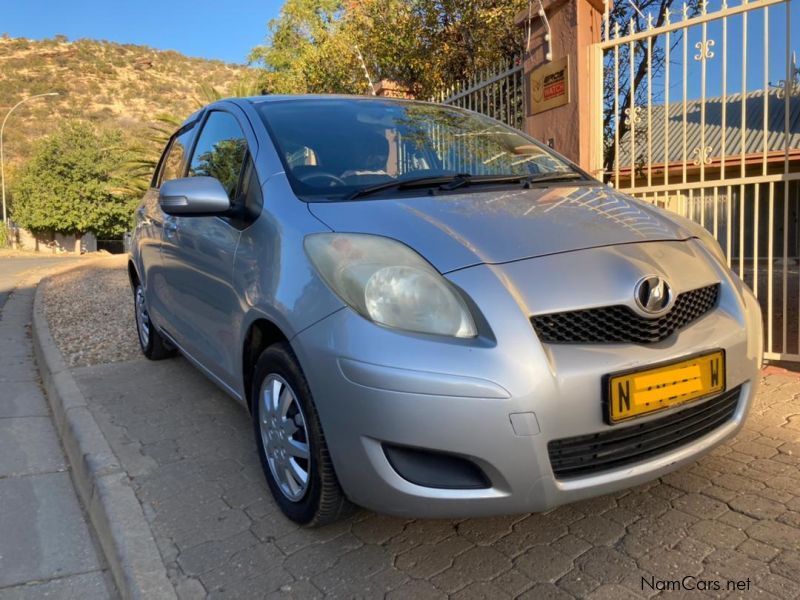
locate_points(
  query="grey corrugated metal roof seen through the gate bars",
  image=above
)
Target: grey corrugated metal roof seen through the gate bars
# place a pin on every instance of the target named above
(753, 128)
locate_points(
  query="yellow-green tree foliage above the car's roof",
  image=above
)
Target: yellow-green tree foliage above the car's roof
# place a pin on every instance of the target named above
(313, 45)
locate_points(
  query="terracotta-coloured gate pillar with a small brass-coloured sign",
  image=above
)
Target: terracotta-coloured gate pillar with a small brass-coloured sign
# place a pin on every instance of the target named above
(571, 127)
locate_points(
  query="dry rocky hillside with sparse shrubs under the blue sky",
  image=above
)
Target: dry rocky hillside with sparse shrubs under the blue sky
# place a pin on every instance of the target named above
(119, 85)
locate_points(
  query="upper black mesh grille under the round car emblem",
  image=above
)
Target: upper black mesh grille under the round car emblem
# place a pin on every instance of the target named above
(620, 323)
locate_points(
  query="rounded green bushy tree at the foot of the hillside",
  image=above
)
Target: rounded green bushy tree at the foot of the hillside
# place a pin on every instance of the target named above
(73, 184)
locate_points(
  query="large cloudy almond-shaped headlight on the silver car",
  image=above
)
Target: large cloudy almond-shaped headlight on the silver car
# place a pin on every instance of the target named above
(388, 283)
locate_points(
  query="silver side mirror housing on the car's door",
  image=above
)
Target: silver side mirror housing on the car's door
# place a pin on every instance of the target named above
(193, 196)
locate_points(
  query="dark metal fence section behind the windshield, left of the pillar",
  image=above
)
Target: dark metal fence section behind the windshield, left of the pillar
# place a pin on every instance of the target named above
(496, 92)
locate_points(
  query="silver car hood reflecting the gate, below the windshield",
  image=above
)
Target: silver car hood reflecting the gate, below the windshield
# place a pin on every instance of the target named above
(453, 231)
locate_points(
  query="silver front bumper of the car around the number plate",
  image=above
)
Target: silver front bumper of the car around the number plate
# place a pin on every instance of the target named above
(376, 386)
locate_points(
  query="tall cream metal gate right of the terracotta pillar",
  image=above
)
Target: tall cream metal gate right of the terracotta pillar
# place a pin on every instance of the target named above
(701, 115)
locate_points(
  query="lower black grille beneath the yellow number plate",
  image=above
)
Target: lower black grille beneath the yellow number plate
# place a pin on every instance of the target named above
(620, 446)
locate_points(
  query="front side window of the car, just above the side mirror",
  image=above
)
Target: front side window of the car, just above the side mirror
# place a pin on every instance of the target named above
(220, 151)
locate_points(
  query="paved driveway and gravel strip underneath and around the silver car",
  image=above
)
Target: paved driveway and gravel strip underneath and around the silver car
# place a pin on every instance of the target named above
(732, 518)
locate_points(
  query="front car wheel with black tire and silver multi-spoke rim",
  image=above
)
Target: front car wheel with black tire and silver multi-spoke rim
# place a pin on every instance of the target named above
(291, 442)
